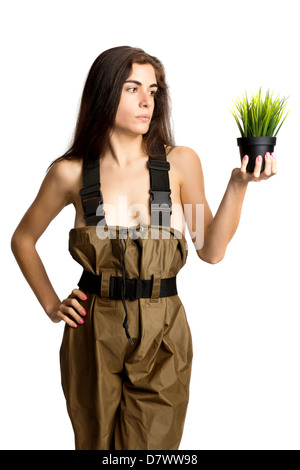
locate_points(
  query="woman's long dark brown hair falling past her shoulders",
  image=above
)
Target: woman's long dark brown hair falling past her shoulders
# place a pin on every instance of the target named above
(100, 99)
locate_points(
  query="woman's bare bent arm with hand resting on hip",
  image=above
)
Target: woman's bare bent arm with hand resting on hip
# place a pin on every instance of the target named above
(54, 194)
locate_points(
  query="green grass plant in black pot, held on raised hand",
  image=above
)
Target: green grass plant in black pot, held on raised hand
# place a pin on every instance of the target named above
(258, 120)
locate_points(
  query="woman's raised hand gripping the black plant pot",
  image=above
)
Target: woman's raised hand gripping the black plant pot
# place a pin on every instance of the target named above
(240, 175)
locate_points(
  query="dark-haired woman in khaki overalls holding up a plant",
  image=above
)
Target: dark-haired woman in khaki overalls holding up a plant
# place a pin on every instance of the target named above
(127, 391)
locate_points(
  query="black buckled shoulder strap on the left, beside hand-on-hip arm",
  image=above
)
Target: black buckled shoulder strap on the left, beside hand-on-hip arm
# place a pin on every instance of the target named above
(91, 196)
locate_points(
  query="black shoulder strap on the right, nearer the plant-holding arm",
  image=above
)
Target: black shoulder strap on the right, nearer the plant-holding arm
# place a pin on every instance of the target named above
(160, 200)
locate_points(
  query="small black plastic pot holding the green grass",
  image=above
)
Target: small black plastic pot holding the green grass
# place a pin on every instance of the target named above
(254, 146)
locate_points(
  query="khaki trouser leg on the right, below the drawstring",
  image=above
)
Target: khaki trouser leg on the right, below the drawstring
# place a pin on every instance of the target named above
(155, 393)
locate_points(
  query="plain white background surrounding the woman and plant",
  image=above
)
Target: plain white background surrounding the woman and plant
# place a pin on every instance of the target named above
(244, 311)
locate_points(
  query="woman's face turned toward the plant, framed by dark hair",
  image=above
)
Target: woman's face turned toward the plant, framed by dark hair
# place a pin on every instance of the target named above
(137, 99)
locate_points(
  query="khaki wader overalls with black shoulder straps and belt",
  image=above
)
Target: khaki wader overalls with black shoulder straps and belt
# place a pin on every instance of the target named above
(126, 380)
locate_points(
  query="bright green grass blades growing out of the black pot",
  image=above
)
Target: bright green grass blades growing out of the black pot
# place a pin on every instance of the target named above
(259, 117)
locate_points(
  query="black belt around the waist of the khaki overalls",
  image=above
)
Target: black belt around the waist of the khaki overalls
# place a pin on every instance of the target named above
(134, 288)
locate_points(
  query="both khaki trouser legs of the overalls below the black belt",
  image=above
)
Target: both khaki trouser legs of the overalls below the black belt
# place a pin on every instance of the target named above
(123, 397)
